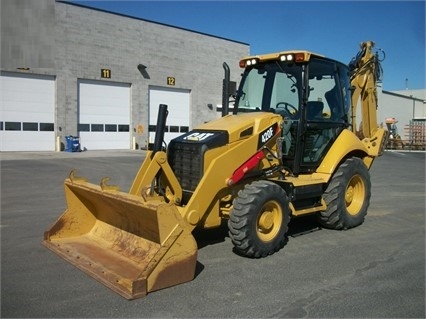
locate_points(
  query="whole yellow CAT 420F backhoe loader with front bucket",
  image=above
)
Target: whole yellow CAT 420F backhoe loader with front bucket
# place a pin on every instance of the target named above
(289, 148)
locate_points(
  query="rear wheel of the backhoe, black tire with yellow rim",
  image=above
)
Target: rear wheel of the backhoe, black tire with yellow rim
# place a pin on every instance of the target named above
(347, 196)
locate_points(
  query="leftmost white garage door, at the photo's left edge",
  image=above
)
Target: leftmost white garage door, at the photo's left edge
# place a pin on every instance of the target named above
(27, 112)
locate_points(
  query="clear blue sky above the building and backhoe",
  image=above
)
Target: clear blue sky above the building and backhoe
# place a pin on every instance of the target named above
(332, 28)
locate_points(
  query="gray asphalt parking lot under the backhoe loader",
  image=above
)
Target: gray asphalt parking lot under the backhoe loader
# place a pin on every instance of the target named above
(376, 270)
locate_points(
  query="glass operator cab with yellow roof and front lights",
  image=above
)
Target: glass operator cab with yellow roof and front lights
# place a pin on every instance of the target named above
(309, 91)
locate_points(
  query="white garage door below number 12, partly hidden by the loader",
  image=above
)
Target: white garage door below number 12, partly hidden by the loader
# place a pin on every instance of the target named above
(178, 102)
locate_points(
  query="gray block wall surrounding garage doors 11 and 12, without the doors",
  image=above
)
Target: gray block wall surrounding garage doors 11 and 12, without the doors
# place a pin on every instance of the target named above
(89, 40)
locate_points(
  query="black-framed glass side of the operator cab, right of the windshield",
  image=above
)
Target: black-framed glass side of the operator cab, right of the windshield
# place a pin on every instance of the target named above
(324, 114)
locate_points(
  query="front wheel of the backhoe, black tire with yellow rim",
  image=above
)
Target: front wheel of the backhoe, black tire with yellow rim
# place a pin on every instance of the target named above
(259, 219)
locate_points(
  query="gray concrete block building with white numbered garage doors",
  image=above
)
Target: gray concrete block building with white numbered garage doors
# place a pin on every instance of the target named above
(68, 70)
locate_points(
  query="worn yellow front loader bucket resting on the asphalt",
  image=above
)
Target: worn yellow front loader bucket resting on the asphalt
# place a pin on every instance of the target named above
(131, 245)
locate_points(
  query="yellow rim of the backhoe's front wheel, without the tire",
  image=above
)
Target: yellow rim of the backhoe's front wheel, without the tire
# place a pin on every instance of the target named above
(269, 221)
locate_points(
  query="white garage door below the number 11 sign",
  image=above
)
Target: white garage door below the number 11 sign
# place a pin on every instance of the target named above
(104, 115)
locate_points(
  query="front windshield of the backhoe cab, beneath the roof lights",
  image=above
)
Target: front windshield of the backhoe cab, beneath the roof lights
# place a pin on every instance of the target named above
(270, 87)
